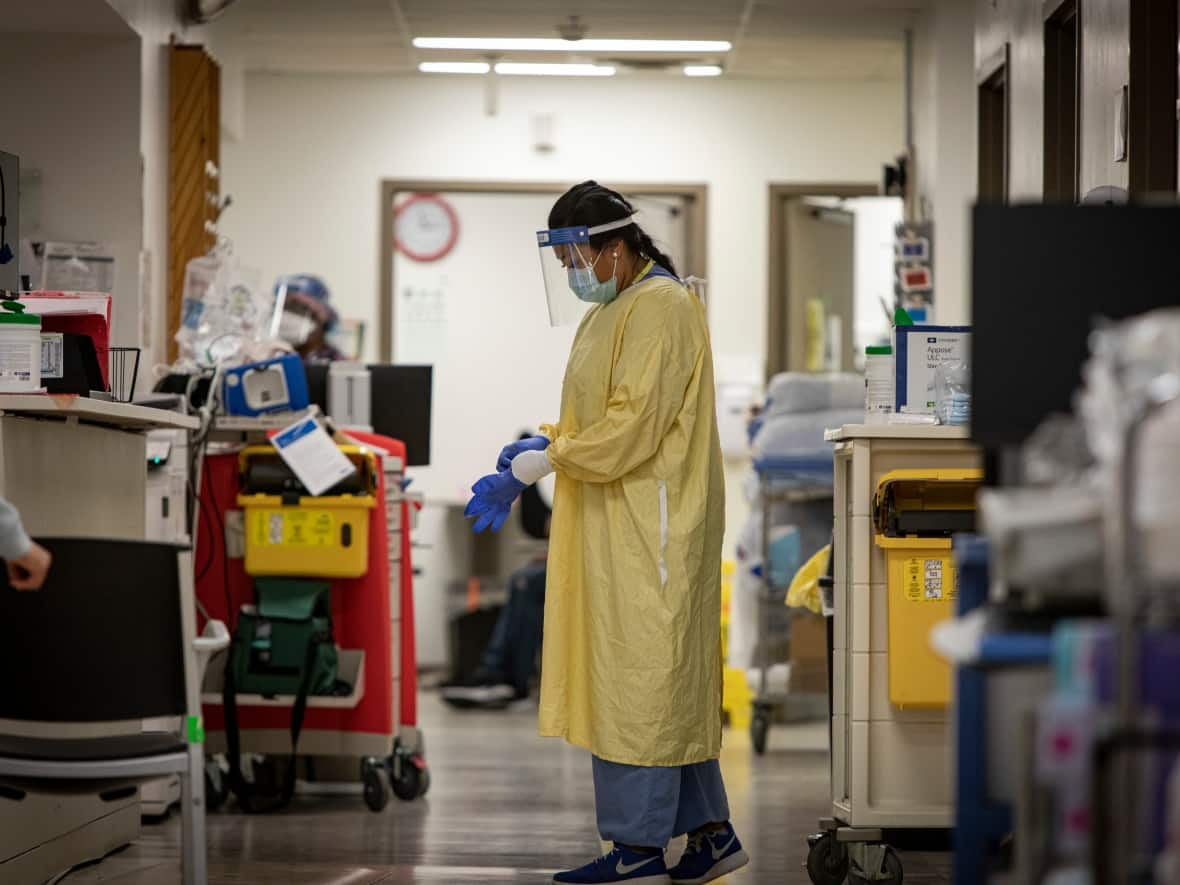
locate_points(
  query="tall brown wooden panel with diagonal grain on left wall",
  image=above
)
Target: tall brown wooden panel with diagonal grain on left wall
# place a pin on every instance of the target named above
(194, 143)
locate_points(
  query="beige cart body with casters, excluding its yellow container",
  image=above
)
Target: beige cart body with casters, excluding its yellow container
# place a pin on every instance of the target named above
(891, 768)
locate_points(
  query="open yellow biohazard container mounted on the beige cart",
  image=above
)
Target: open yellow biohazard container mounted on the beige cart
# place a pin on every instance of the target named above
(916, 512)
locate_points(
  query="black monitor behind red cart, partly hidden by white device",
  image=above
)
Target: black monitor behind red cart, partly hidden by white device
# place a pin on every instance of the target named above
(399, 407)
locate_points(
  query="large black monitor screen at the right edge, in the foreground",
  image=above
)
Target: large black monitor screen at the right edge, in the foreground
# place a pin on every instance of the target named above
(1041, 277)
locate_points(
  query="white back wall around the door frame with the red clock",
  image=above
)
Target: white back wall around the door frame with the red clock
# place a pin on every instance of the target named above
(306, 178)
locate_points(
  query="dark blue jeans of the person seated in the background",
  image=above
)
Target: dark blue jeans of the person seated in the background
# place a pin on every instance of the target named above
(512, 654)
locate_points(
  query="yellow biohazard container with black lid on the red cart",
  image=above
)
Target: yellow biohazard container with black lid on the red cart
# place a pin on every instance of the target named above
(298, 535)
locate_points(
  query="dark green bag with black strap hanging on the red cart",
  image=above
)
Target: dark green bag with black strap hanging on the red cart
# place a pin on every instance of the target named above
(283, 646)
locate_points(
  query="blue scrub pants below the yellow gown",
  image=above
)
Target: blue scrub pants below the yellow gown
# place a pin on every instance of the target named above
(647, 808)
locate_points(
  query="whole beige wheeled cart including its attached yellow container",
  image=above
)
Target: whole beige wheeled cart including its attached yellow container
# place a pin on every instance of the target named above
(899, 491)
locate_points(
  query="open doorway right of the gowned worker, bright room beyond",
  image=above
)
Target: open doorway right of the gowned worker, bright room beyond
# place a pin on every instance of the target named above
(831, 263)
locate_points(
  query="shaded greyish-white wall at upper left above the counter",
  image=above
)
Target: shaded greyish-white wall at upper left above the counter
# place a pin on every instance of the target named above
(71, 110)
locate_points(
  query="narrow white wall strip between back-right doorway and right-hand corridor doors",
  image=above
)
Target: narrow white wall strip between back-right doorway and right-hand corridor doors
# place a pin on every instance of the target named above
(946, 124)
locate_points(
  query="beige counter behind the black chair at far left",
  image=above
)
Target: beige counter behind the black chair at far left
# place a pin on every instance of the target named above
(75, 468)
